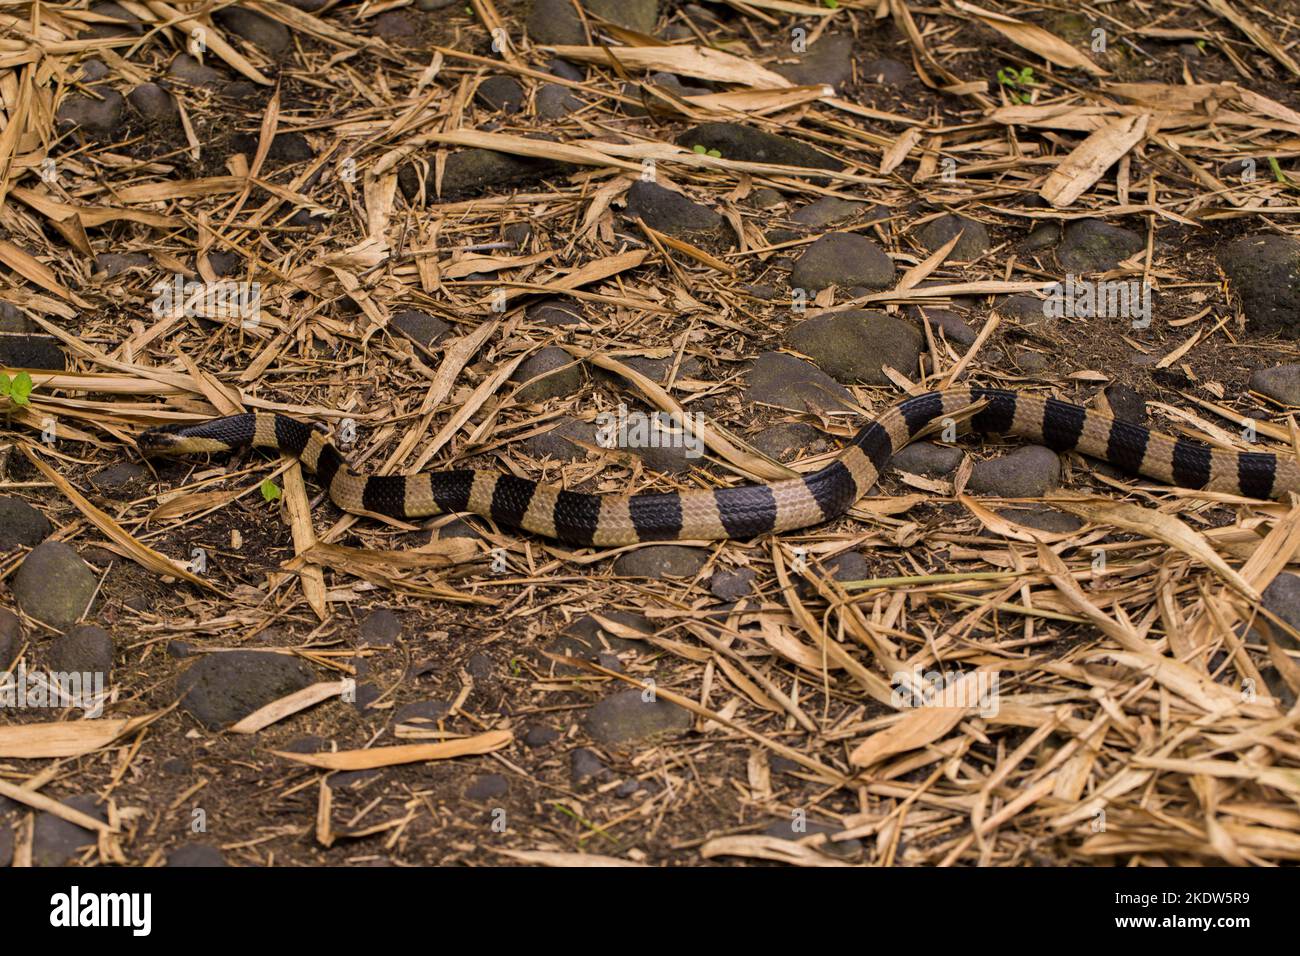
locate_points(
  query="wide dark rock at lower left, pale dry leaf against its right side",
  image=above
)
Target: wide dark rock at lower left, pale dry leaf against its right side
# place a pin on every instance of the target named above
(226, 687)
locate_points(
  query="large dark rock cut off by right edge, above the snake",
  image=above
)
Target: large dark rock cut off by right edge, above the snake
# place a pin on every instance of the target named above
(1264, 272)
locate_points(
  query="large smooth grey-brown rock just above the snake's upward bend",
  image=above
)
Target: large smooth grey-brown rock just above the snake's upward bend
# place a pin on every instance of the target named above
(853, 347)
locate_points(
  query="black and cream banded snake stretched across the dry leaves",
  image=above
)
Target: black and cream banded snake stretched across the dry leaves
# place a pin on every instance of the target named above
(743, 511)
